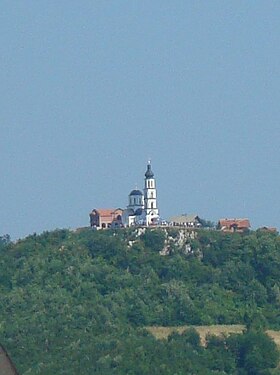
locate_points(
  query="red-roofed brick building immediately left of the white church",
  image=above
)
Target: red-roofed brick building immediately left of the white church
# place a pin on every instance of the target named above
(106, 218)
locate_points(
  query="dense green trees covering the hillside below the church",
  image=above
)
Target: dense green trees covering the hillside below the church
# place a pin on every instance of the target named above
(76, 303)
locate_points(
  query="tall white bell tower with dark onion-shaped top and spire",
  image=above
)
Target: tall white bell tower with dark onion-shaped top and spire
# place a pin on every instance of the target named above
(150, 197)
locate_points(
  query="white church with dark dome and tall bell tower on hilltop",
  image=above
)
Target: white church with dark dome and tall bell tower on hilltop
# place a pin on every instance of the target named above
(142, 206)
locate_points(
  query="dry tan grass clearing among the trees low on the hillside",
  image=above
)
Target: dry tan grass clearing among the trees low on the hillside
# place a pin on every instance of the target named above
(218, 330)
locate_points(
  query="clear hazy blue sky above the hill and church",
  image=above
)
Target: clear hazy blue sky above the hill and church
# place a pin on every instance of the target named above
(90, 90)
